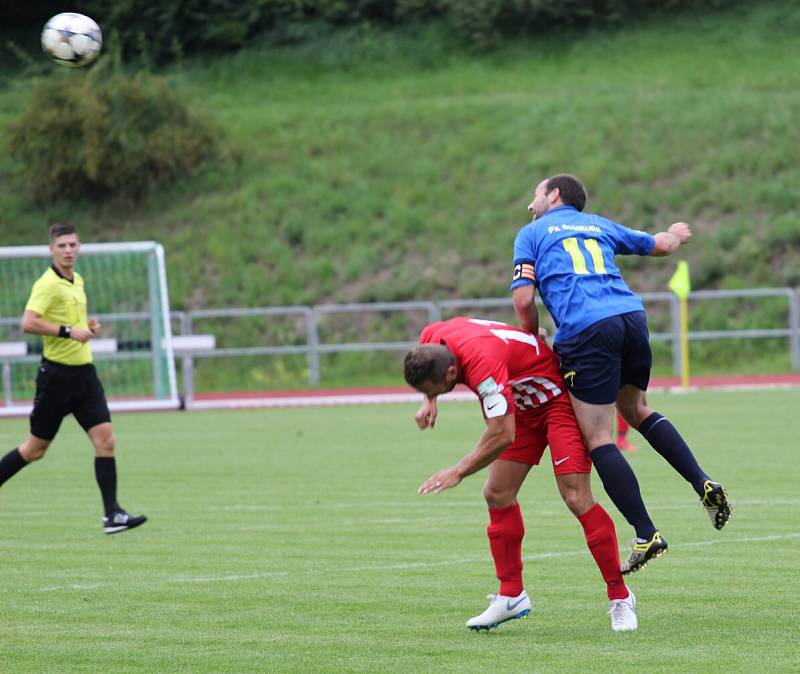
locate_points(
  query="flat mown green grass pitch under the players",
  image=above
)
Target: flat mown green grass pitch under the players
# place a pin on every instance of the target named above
(294, 540)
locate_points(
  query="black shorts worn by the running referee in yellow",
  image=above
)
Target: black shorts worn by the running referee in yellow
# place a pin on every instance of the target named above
(67, 389)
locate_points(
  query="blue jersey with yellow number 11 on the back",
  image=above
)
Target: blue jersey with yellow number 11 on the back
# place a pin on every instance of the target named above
(569, 256)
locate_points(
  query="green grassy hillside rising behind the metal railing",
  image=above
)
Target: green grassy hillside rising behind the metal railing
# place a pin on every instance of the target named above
(384, 167)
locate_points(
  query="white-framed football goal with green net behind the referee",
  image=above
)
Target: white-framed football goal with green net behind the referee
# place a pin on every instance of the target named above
(126, 288)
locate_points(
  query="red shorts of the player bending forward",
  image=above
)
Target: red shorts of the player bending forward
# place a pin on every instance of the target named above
(551, 424)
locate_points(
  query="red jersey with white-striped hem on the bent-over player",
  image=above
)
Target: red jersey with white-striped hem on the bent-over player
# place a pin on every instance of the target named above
(497, 358)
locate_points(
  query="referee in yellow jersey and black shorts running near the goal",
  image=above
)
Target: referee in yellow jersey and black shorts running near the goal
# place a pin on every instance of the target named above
(67, 381)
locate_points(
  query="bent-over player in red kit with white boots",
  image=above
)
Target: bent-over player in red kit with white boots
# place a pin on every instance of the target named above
(518, 381)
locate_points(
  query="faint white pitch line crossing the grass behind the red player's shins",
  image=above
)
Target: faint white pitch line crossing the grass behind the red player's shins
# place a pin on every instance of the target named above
(398, 566)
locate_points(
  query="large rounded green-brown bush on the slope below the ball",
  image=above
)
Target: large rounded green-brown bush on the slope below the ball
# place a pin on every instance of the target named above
(98, 136)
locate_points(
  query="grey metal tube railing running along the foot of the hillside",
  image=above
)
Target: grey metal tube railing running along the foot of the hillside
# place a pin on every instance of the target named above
(308, 318)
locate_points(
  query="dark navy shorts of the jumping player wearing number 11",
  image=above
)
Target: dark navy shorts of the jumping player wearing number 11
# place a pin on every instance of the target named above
(600, 360)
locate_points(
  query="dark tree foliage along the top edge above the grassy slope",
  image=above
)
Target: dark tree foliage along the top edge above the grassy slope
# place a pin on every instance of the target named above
(161, 31)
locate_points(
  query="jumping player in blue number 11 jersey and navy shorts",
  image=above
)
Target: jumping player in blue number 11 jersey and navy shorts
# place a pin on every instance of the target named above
(602, 342)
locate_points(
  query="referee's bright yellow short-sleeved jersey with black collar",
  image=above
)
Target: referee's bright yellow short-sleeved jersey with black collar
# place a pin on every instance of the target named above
(62, 302)
